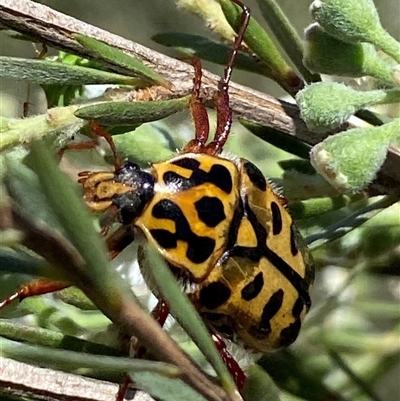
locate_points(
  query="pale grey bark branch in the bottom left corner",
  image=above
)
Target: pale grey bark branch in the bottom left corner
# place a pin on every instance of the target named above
(19, 379)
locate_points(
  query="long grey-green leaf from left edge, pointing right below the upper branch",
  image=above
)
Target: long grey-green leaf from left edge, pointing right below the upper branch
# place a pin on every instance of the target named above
(53, 73)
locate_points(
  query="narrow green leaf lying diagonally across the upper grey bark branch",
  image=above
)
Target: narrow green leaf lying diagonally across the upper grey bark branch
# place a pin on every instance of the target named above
(121, 59)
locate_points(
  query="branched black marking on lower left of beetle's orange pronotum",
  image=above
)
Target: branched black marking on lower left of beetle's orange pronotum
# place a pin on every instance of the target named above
(199, 248)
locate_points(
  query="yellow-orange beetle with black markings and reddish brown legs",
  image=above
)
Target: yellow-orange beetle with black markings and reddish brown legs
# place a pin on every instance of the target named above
(219, 224)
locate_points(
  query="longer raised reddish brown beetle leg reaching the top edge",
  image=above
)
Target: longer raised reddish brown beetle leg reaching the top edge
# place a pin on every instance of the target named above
(224, 111)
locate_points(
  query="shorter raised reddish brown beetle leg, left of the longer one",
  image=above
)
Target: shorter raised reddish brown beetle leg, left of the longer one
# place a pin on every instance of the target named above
(198, 112)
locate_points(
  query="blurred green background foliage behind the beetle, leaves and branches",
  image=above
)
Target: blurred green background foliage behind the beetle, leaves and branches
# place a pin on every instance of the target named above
(349, 348)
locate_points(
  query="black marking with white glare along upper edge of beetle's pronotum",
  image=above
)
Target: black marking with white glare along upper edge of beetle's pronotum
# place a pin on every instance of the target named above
(218, 175)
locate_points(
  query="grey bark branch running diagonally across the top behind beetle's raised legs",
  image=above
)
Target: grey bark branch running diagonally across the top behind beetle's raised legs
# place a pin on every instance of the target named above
(54, 28)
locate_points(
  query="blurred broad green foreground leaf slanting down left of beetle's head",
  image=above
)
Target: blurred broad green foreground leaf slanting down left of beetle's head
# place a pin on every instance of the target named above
(62, 195)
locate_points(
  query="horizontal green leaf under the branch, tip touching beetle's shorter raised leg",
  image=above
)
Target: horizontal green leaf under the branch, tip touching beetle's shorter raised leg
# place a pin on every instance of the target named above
(132, 113)
